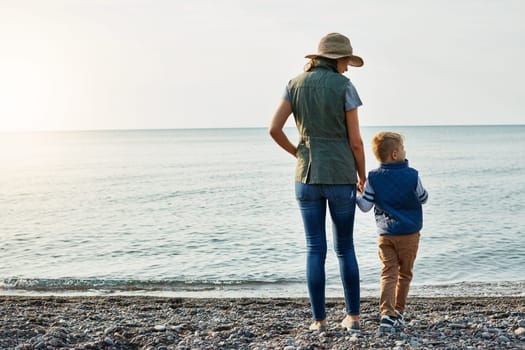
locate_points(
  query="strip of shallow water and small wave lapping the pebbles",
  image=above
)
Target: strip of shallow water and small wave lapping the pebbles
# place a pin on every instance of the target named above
(88, 288)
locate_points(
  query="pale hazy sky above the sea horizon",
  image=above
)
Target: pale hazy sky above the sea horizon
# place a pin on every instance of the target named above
(142, 64)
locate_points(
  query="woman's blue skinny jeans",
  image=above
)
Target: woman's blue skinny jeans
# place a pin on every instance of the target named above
(312, 201)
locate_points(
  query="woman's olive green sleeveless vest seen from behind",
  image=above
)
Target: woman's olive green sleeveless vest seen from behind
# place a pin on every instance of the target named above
(318, 104)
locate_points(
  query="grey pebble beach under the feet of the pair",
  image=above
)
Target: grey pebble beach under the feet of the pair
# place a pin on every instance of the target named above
(144, 322)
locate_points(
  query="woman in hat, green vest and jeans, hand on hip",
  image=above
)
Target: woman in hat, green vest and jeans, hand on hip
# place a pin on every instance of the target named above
(330, 162)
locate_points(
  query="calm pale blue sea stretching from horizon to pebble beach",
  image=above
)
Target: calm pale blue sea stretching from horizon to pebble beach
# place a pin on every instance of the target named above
(212, 213)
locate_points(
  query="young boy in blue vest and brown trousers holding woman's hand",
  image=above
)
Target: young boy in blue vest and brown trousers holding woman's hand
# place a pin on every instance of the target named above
(397, 194)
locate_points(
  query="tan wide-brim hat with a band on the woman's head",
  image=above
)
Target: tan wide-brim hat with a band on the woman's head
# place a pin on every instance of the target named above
(334, 46)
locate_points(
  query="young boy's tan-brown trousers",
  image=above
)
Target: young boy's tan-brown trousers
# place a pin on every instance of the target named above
(397, 254)
